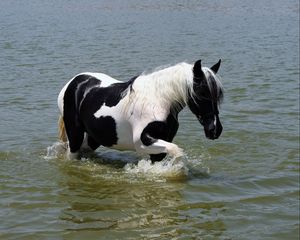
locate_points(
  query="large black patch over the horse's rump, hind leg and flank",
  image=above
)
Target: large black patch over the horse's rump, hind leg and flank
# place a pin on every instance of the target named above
(83, 97)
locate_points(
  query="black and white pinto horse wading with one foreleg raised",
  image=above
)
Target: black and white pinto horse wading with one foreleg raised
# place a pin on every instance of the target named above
(140, 114)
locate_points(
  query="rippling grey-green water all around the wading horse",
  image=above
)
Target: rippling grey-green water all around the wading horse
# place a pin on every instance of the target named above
(243, 186)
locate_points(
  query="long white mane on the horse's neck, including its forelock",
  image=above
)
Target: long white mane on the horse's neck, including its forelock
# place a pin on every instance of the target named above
(172, 86)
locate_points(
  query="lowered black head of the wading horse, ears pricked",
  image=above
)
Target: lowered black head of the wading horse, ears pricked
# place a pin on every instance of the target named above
(205, 97)
